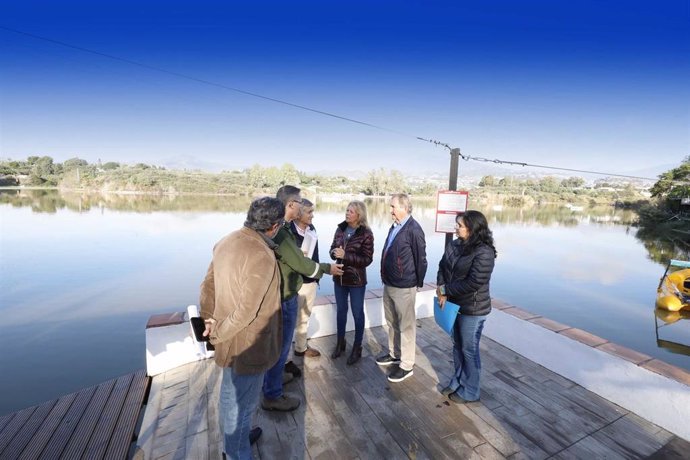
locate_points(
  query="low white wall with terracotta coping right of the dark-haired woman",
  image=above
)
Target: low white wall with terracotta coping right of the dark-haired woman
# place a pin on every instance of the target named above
(654, 390)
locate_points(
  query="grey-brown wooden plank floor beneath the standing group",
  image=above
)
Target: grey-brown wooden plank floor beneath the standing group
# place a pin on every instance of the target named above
(351, 412)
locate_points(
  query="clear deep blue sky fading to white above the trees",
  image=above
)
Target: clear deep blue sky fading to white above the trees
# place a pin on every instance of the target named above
(587, 84)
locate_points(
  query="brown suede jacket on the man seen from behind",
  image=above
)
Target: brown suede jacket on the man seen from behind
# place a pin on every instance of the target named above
(241, 292)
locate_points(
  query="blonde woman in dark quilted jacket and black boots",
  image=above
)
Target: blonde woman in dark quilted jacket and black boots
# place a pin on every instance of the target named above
(353, 246)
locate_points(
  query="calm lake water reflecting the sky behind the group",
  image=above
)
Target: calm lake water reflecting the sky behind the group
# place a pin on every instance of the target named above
(80, 275)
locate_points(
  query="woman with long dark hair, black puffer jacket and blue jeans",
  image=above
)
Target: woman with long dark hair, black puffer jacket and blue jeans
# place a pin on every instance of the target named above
(463, 278)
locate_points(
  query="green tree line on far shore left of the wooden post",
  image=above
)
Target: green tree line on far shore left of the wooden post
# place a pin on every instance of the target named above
(78, 174)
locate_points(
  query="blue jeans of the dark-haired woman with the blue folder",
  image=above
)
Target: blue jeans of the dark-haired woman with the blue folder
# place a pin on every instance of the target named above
(467, 331)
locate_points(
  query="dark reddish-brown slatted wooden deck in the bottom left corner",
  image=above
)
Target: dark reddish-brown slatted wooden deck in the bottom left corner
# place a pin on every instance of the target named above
(95, 423)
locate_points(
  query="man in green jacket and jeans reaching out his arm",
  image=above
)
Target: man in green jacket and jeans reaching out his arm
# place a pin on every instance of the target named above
(293, 264)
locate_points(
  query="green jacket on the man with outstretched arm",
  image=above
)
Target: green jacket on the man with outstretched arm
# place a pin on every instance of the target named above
(293, 263)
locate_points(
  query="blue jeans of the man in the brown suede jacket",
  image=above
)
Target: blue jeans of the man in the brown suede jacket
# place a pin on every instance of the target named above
(239, 396)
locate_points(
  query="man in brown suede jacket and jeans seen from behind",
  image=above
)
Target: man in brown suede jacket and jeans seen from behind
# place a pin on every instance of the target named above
(240, 303)
